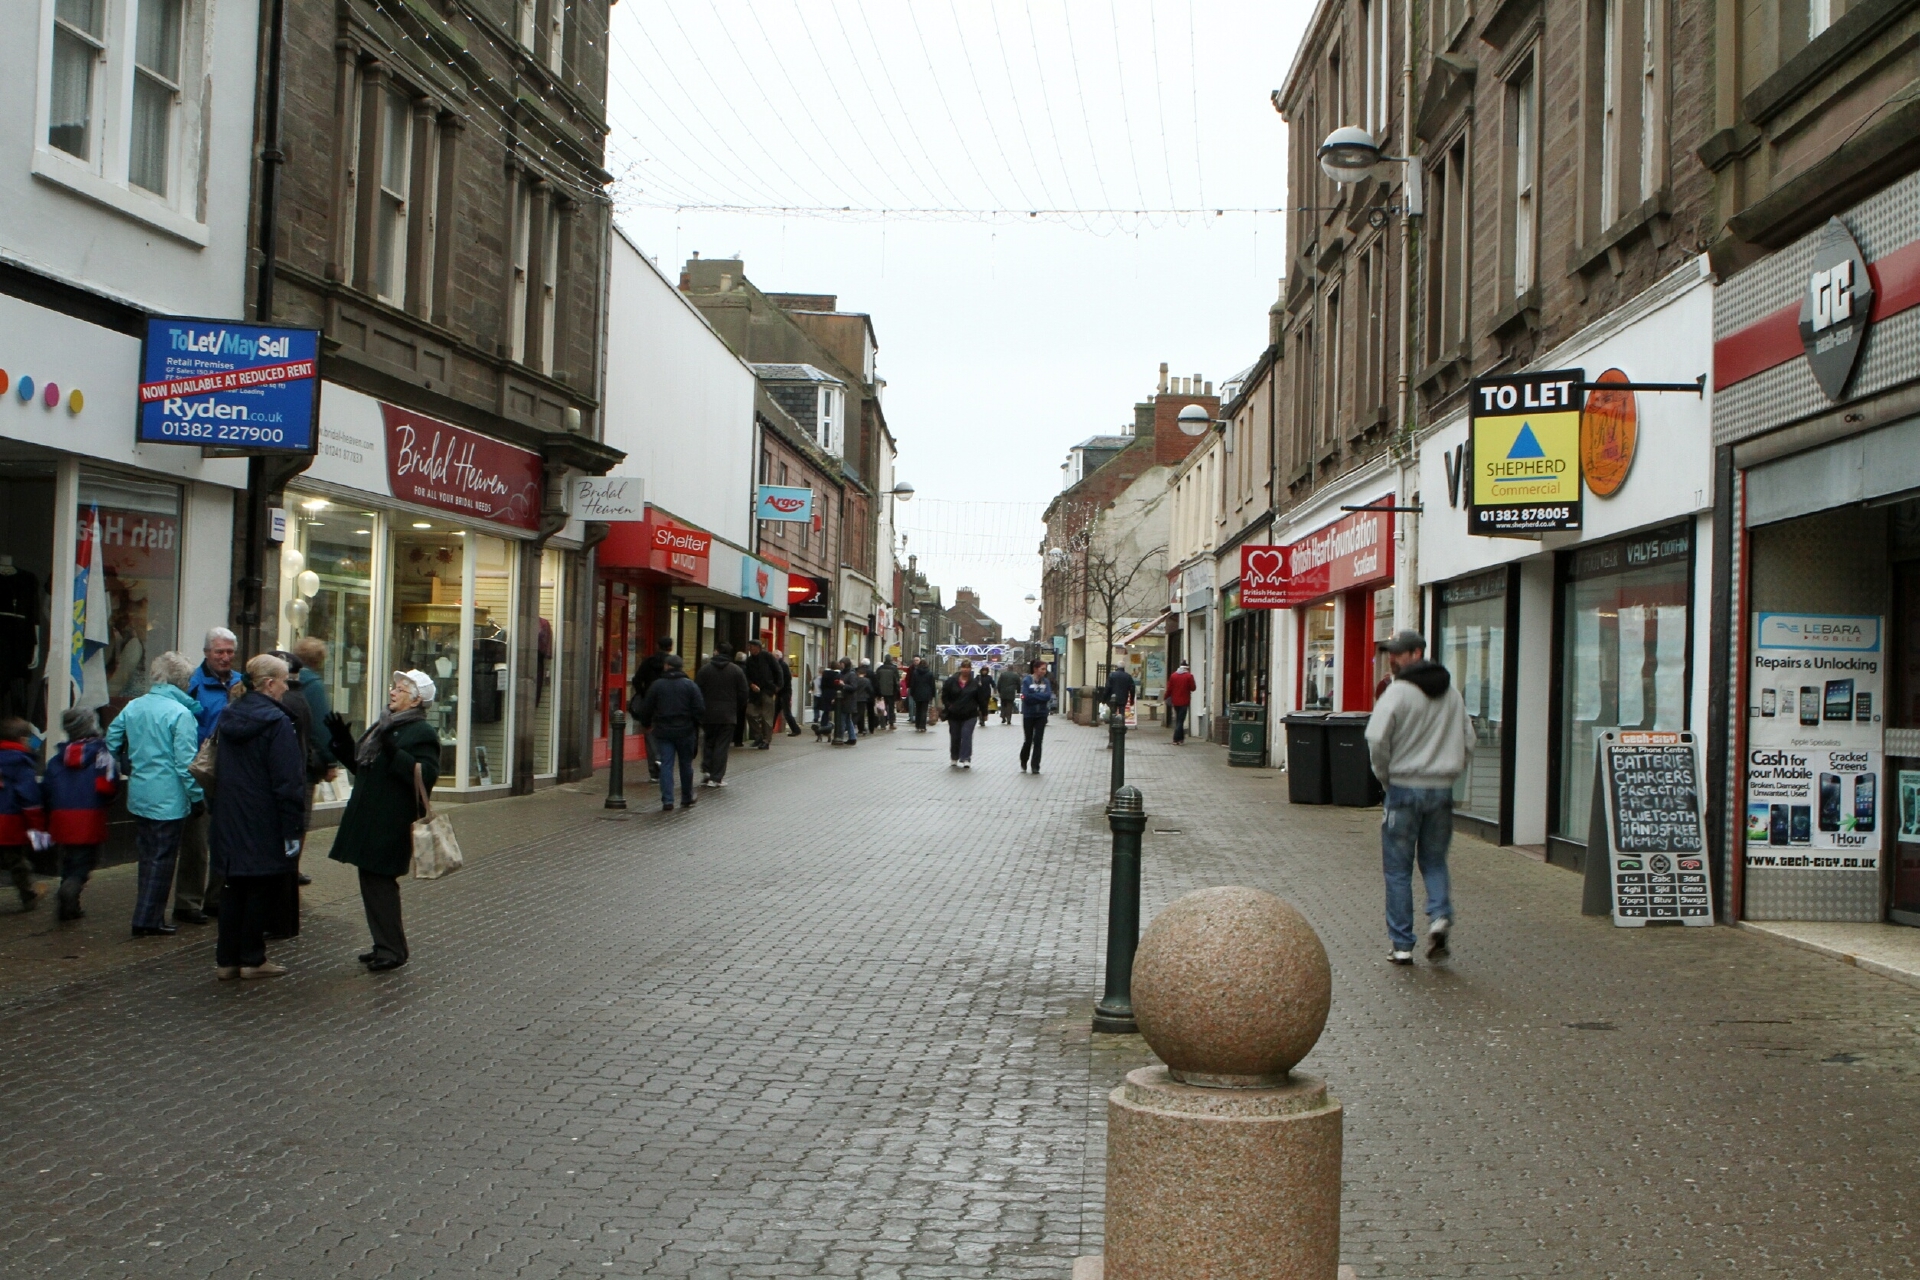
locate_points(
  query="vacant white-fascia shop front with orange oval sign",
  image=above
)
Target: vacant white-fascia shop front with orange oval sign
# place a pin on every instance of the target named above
(1556, 636)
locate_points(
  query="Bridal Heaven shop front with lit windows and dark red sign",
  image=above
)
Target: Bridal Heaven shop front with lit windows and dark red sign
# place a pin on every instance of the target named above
(418, 544)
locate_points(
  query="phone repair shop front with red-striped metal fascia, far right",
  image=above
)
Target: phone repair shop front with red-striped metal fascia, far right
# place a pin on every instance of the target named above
(1817, 417)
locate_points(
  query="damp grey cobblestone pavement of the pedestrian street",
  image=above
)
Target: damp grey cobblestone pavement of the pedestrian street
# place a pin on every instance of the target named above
(834, 1022)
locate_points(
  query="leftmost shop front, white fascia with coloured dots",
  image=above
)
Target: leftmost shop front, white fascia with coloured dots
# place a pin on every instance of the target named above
(110, 552)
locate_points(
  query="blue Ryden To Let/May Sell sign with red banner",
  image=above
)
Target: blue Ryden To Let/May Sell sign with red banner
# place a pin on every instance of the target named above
(229, 387)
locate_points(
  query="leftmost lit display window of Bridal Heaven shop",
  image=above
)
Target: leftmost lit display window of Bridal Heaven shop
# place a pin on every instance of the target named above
(327, 594)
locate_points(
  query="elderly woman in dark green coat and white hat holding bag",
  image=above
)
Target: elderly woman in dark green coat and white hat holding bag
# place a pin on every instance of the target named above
(393, 763)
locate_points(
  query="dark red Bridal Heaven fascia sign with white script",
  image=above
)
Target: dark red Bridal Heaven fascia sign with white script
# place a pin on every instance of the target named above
(466, 473)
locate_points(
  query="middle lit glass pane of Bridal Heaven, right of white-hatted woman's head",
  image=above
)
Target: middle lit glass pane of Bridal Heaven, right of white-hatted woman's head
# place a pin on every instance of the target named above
(429, 565)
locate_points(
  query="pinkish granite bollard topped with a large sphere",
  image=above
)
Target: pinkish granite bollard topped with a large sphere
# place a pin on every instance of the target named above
(1226, 1164)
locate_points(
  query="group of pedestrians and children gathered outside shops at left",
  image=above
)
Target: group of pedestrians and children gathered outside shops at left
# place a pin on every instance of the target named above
(220, 769)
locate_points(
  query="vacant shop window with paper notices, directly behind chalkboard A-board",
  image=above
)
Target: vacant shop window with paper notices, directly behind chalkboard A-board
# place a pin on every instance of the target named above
(1625, 653)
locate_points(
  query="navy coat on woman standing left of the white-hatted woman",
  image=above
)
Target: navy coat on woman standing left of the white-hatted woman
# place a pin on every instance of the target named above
(260, 797)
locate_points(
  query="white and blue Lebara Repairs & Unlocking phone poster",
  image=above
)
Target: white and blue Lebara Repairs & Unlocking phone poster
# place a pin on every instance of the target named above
(1815, 744)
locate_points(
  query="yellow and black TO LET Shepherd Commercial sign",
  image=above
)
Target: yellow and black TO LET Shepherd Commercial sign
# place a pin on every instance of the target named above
(1524, 454)
